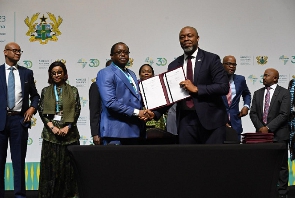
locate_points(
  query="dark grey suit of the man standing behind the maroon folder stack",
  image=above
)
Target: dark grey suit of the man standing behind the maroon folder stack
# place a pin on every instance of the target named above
(277, 123)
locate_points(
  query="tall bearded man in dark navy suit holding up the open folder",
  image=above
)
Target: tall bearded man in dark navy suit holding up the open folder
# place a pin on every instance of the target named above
(202, 119)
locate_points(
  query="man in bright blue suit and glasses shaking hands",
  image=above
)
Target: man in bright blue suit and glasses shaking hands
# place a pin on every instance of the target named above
(121, 101)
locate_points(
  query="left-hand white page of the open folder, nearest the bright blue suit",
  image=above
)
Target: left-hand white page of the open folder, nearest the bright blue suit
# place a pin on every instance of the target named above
(152, 93)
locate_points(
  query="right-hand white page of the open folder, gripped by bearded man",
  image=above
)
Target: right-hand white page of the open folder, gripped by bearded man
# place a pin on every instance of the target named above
(172, 80)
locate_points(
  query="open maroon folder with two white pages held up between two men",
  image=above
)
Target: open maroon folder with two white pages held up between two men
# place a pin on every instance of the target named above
(163, 89)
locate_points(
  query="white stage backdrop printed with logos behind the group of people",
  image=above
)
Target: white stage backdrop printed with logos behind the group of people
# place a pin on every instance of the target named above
(259, 33)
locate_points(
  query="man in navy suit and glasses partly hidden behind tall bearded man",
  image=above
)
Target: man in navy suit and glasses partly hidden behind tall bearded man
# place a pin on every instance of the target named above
(238, 89)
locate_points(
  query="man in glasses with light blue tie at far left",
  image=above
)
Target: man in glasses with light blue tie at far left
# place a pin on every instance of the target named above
(16, 86)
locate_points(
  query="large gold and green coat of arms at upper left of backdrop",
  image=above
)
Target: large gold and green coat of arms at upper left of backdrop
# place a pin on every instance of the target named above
(43, 31)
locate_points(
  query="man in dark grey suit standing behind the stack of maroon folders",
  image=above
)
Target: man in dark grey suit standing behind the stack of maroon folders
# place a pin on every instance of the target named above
(269, 113)
